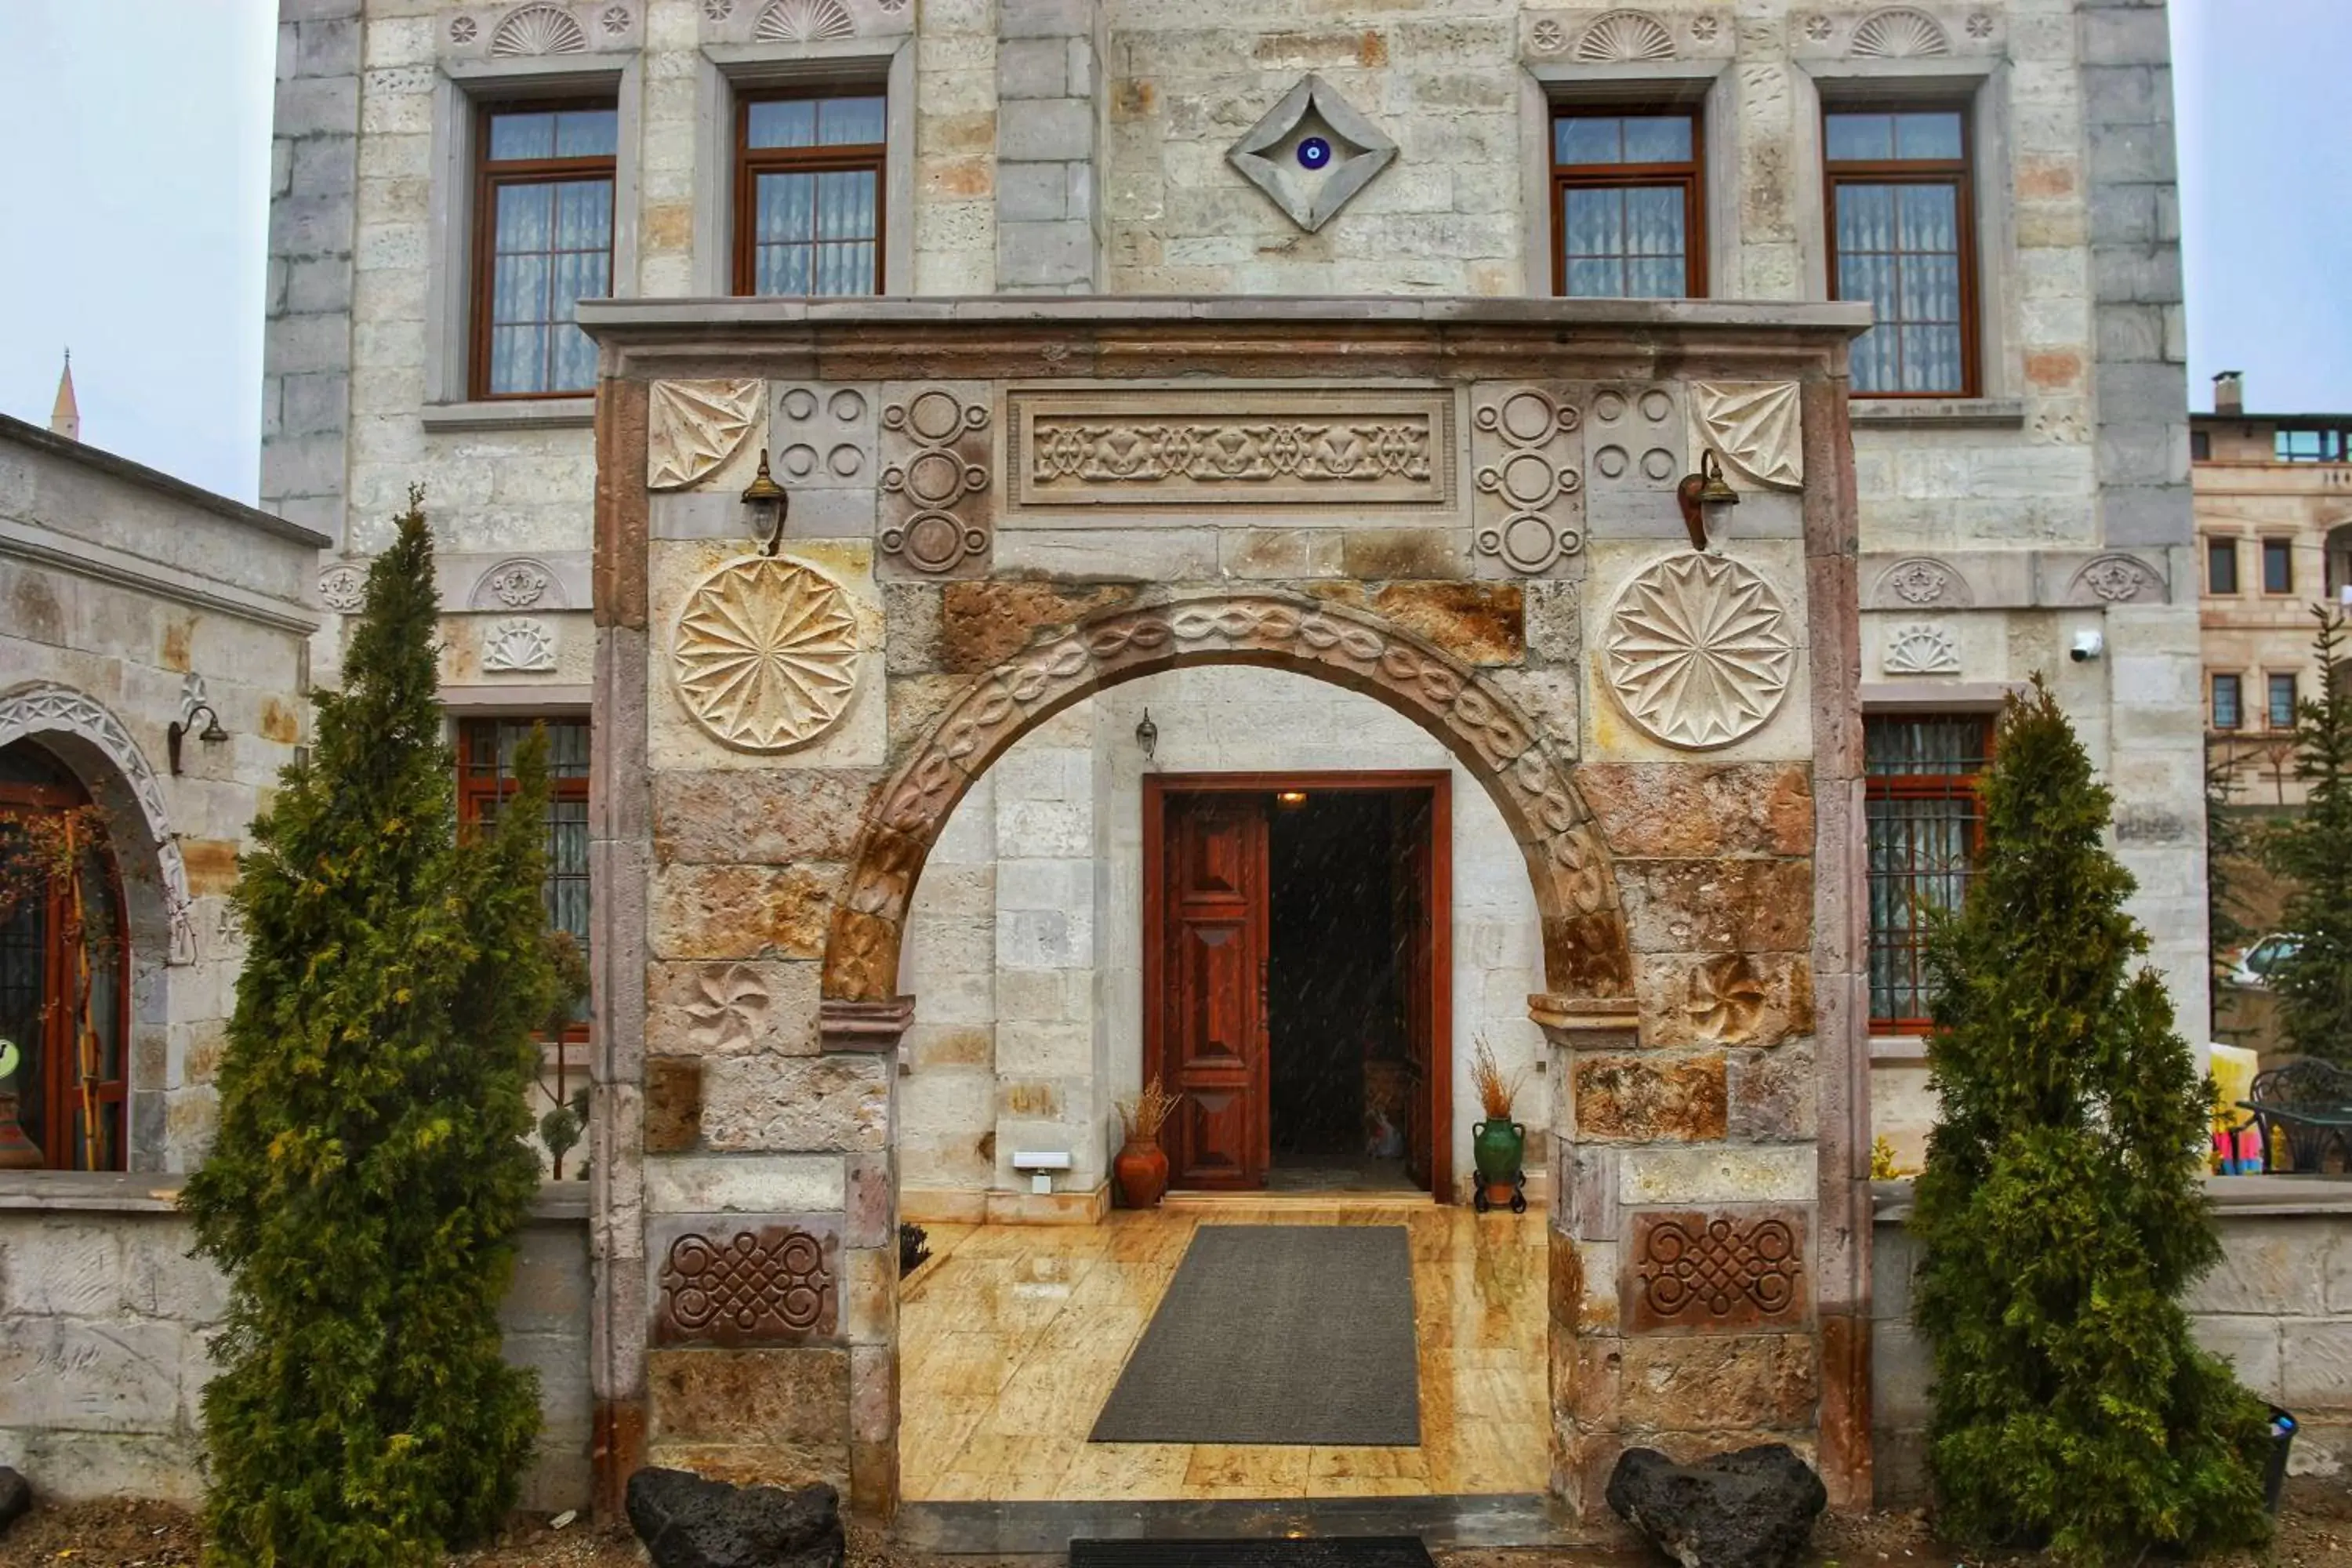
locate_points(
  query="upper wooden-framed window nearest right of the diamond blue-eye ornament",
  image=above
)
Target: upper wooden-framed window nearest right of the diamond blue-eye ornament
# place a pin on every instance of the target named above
(1629, 206)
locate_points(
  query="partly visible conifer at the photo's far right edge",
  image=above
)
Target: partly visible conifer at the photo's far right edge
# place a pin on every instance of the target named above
(2313, 852)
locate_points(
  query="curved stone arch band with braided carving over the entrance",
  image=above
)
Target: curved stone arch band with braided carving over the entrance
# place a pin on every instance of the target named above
(1584, 930)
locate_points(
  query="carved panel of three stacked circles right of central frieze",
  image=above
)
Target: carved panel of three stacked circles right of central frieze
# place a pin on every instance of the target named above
(1528, 467)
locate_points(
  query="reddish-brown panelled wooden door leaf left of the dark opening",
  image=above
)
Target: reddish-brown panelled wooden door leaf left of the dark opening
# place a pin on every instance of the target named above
(1212, 991)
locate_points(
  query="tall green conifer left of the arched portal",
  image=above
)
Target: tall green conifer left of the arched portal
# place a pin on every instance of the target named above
(373, 1172)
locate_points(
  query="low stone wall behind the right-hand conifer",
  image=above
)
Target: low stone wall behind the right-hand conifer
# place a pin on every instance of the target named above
(2278, 1308)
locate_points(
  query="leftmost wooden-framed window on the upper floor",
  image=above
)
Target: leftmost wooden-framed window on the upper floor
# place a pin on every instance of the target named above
(544, 177)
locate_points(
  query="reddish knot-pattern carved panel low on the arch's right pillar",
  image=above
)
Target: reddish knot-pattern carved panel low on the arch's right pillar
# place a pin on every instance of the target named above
(1716, 1271)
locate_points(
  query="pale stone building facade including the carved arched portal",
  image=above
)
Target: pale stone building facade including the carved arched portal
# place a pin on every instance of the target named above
(1314, 220)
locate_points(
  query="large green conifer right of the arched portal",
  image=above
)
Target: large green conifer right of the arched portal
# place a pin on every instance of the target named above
(2062, 1209)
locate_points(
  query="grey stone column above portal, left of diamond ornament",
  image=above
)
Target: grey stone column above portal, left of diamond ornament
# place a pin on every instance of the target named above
(1050, 135)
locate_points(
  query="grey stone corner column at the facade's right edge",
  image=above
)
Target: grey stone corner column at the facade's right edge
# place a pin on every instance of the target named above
(2156, 697)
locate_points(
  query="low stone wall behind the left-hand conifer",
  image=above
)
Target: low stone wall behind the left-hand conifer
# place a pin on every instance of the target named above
(105, 1322)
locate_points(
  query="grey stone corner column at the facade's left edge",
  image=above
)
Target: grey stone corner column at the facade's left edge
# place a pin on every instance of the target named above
(314, 185)
